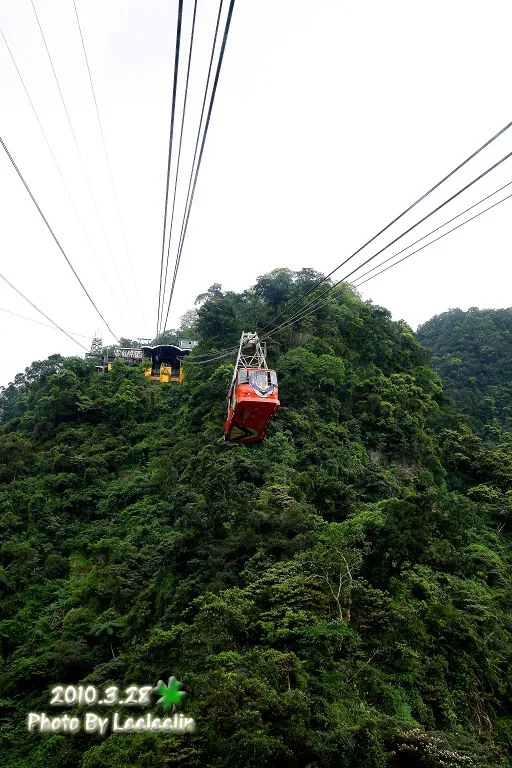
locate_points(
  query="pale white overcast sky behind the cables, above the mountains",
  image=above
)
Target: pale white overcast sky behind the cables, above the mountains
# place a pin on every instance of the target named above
(330, 119)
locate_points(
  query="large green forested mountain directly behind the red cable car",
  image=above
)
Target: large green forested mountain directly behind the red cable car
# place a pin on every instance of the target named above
(338, 595)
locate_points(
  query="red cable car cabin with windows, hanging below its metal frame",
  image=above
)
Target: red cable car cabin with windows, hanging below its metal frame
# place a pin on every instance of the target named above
(253, 400)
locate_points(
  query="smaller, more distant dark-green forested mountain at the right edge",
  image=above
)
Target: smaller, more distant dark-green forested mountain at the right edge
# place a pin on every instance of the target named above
(472, 352)
